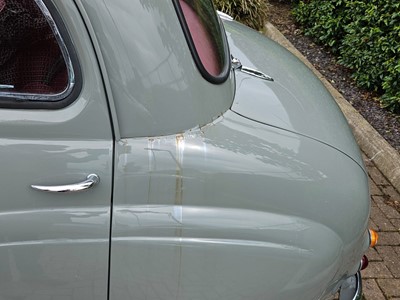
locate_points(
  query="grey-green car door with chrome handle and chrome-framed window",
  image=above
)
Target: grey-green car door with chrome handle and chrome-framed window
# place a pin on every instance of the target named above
(54, 132)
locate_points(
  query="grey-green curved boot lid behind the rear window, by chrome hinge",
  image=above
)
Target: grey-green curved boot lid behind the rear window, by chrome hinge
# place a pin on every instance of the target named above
(296, 100)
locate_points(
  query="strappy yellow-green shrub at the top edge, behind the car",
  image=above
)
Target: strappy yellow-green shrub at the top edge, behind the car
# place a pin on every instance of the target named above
(253, 13)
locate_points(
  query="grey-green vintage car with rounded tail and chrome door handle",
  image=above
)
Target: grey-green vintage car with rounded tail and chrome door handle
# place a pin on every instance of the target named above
(155, 150)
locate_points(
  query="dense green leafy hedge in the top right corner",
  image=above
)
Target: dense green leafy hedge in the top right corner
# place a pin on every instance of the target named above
(365, 35)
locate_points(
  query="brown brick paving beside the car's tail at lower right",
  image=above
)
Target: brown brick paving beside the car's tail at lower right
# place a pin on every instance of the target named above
(381, 280)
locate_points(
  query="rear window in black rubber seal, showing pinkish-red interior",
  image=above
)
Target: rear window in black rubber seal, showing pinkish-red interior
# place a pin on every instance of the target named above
(206, 38)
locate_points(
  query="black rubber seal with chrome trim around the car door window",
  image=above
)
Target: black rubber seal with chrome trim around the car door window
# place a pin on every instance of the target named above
(70, 94)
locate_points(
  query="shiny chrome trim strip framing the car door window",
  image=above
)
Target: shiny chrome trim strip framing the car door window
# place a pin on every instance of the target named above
(67, 59)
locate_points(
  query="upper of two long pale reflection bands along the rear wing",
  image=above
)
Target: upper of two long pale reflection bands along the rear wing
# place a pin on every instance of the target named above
(205, 217)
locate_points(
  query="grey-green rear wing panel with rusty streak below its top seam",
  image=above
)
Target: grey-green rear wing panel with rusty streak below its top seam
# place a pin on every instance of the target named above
(235, 210)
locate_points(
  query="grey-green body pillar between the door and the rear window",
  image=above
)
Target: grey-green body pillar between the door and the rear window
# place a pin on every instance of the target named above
(155, 83)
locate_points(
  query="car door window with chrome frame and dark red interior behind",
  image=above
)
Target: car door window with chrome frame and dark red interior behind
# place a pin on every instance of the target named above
(34, 62)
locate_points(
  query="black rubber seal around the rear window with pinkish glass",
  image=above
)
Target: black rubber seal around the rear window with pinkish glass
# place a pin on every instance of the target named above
(227, 62)
